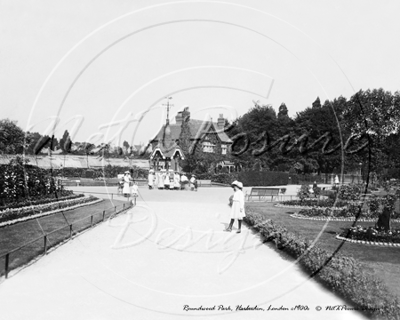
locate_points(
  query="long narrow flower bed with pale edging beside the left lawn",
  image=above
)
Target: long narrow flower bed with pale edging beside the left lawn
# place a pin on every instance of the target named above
(10, 216)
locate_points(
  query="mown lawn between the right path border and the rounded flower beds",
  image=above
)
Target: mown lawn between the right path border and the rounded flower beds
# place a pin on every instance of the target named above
(382, 262)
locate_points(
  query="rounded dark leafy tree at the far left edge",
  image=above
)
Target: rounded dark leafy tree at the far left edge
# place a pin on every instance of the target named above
(12, 137)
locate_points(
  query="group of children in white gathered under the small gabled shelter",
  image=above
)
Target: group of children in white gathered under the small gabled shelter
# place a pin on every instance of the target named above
(170, 180)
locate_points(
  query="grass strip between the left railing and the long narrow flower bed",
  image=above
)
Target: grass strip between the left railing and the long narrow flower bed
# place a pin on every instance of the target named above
(19, 234)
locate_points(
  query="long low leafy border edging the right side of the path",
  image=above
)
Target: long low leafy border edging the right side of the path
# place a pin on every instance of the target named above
(342, 274)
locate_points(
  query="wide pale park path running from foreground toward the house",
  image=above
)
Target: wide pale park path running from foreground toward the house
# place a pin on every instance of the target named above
(167, 253)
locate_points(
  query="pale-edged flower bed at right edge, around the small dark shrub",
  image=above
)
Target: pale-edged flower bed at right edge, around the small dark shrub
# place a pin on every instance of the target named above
(371, 235)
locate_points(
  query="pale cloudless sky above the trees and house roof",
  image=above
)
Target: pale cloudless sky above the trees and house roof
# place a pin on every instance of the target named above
(102, 69)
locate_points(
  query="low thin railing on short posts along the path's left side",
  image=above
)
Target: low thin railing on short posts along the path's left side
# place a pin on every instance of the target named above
(24, 254)
